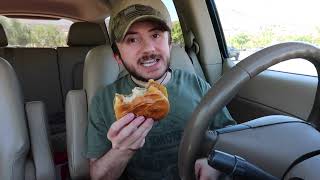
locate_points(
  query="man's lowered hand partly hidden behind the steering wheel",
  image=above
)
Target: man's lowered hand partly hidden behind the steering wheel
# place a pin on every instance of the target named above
(205, 172)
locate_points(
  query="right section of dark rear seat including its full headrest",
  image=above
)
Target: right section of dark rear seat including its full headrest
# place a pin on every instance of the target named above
(82, 37)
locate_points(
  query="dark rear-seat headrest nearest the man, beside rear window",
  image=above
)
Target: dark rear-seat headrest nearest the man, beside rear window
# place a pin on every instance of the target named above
(86, 34)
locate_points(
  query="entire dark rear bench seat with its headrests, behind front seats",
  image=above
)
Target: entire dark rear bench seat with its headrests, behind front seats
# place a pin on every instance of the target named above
(38, 71)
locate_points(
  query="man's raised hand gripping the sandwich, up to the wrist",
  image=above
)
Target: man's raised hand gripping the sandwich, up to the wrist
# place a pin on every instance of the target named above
(128, 133)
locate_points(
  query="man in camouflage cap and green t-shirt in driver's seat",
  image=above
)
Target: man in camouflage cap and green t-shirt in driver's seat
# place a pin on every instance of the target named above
(137, 147)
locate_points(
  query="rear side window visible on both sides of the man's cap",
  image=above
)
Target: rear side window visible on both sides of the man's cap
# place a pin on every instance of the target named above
(176, 32)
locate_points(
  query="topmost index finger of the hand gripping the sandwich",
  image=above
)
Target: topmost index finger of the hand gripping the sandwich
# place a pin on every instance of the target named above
(119, 124)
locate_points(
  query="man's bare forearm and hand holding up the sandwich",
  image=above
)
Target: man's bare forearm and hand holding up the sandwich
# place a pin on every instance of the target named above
(127, 135)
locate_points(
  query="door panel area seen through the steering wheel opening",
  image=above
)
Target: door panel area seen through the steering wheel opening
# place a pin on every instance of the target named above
(273, 92)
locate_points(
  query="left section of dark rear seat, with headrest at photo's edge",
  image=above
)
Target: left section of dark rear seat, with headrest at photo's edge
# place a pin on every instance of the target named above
(37, 70)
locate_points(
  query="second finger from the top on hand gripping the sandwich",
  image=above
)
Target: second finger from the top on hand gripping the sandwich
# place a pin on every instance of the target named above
(129, 129)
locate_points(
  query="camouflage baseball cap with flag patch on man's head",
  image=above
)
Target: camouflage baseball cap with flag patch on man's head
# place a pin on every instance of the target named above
(125, 12)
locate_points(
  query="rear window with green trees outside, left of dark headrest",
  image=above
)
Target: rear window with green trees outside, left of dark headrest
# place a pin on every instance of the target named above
(35, 33)
